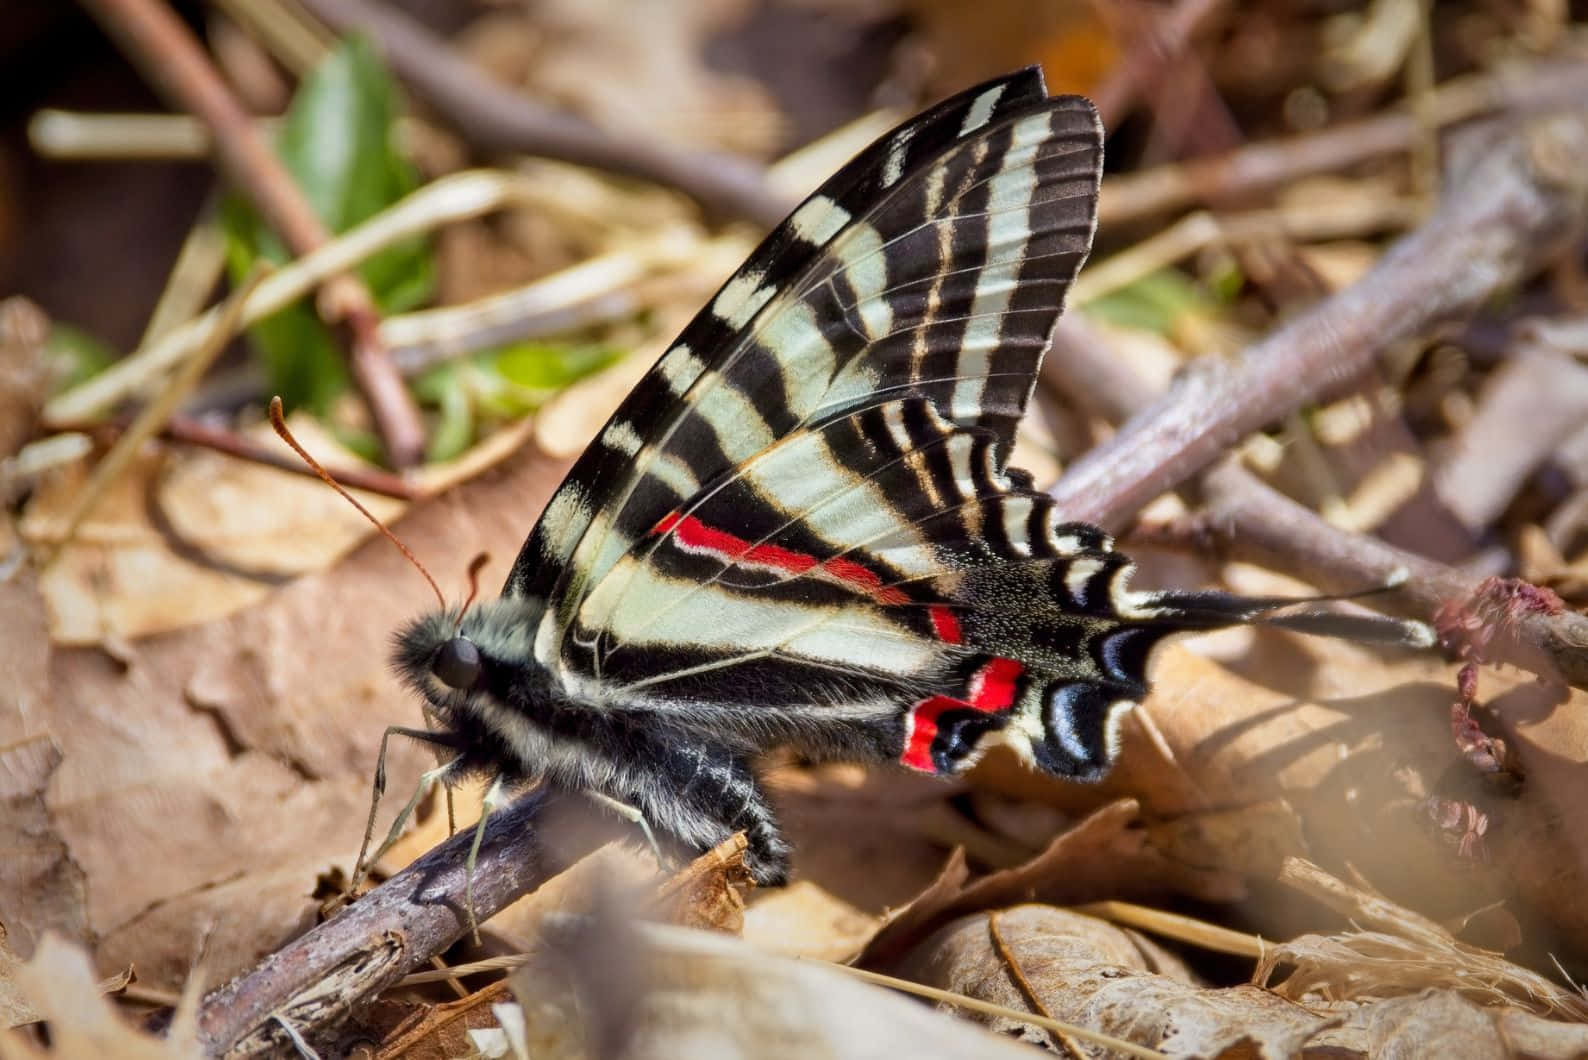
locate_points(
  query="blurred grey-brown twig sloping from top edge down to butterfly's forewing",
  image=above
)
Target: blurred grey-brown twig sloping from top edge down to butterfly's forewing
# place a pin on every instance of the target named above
(496, 120)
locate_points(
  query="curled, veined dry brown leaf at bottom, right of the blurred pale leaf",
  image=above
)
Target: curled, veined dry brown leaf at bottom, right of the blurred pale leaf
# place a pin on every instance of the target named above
(1087, 972)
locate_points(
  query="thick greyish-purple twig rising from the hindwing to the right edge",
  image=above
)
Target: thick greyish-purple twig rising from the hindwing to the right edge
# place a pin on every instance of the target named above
(1505, 220)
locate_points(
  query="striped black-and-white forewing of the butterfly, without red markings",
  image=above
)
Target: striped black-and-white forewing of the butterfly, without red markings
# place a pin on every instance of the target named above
(931, 266)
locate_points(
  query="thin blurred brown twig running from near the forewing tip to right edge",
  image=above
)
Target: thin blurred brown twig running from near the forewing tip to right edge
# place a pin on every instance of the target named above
(1258, 167)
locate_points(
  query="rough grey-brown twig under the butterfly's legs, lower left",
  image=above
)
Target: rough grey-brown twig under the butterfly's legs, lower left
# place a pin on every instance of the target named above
(322, 977)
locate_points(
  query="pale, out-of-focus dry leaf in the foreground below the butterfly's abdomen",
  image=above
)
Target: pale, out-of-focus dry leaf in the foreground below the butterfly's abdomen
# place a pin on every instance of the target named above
(611, 991)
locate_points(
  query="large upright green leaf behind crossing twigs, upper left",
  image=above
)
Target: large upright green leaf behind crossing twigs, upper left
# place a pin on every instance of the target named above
(337, 140)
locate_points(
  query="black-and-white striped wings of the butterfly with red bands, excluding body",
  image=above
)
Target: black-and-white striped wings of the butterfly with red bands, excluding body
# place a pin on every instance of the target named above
(804, 502)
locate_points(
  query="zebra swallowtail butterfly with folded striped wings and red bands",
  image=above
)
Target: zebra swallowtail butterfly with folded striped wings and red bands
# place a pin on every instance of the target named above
(801, 528)
